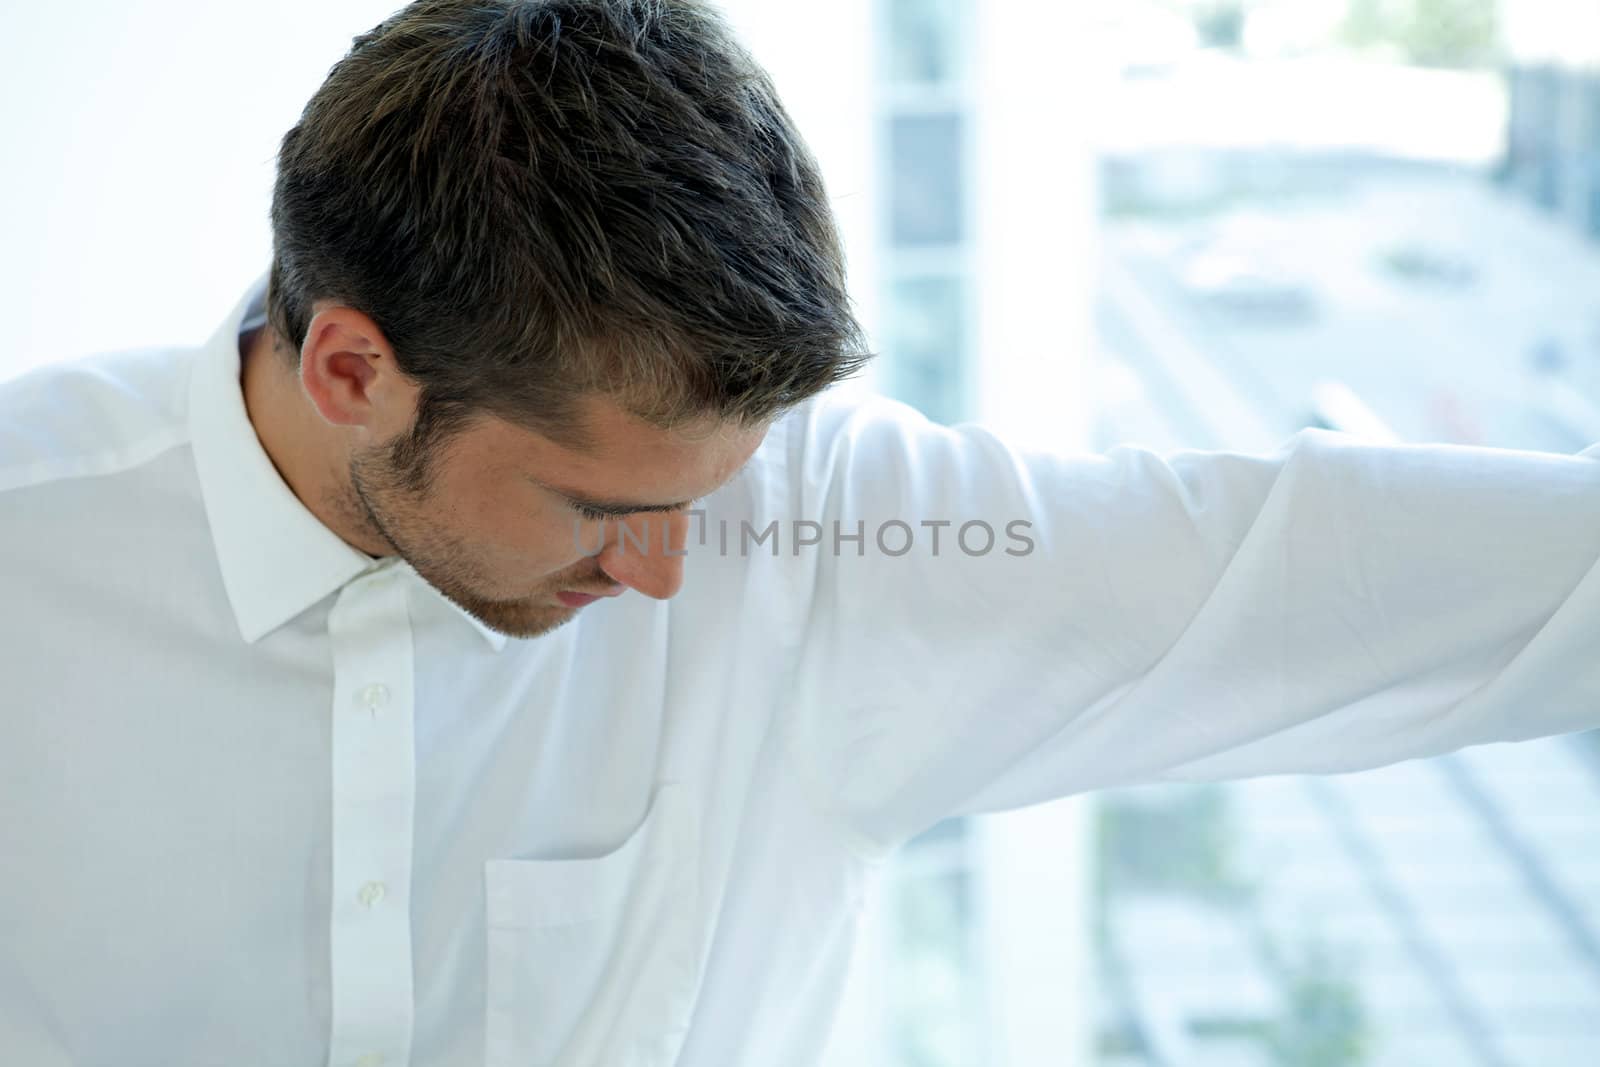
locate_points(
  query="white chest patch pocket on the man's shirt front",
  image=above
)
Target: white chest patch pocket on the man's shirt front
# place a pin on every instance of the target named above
(594, 962)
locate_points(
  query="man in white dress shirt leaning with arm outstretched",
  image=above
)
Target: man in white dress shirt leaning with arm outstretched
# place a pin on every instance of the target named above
(497, 645)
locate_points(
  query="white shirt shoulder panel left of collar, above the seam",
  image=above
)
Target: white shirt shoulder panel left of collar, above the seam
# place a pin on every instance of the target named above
(94, 417)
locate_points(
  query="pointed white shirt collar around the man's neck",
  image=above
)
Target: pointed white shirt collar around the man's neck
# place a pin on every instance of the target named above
(276, 556)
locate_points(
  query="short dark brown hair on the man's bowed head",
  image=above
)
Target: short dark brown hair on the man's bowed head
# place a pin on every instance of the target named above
(540, 199)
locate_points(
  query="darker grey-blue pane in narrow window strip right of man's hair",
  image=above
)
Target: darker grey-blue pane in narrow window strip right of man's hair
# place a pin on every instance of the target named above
(927, 188)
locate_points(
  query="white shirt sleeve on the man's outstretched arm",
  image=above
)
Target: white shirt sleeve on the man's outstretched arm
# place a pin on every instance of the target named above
(1145, 617)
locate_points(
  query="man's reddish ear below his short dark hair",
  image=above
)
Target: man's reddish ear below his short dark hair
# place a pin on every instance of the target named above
(350, 374)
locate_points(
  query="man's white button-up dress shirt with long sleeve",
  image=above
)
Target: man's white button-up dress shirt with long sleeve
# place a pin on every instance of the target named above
(268, 801)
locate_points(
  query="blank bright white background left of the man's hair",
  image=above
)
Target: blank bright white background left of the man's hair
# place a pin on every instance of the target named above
(138, 162)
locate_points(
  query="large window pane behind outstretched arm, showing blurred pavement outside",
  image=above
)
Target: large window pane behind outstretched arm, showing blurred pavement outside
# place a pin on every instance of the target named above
(1375, 230)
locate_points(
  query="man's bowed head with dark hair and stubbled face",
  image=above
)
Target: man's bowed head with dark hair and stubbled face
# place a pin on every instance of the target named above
(561, 242)
